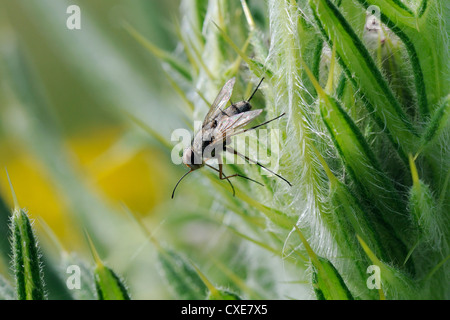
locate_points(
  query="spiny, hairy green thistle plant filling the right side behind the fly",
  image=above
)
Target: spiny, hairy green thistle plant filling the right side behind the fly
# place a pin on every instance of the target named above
(365, 88)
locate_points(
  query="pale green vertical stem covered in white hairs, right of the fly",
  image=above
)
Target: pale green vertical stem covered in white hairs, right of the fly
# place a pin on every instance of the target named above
(290, 94)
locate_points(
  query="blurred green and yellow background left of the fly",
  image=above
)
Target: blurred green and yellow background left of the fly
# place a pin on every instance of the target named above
(75, 158)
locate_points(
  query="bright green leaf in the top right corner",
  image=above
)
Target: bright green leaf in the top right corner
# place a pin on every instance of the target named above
(425, 41)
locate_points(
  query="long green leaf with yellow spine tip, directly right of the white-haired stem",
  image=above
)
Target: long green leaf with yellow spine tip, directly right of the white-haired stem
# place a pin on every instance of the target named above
(372, 184)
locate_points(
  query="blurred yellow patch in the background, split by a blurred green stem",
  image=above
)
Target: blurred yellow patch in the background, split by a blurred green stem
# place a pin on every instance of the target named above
(134, 177)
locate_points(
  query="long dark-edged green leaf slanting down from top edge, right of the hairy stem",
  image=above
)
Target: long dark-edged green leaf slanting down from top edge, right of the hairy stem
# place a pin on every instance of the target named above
(362, 72)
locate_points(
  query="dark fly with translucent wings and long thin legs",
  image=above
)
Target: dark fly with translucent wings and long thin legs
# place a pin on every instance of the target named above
(218, 126)
